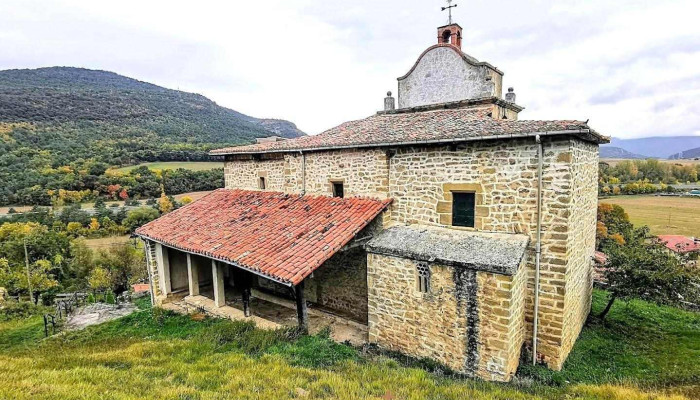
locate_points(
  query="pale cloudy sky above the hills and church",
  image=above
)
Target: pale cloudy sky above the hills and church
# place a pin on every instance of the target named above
(631, 67)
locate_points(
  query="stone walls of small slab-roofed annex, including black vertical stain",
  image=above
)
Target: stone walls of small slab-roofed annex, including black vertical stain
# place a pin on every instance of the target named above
(471, 321)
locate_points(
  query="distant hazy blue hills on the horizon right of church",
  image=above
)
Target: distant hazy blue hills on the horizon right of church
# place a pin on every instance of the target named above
(656, 147)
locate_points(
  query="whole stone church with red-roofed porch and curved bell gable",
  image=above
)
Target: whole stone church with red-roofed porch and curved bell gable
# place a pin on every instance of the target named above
(443, 226)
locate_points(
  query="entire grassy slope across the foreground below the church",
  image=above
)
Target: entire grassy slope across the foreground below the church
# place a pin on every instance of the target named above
(642, 352)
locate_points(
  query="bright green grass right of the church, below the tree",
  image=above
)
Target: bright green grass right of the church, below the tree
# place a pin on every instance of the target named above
(639, 343)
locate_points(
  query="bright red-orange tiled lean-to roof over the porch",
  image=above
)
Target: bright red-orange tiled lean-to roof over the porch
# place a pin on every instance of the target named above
(281, 236)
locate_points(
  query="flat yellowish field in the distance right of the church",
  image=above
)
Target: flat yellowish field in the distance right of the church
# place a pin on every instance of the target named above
(654, 211)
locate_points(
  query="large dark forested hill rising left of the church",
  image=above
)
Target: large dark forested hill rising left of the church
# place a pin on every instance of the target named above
(147, 121)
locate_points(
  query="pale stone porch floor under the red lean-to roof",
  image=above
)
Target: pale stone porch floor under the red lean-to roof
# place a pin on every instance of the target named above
(271, 312)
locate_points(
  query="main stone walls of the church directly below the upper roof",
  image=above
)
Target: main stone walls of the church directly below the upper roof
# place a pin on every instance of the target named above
(504, 176)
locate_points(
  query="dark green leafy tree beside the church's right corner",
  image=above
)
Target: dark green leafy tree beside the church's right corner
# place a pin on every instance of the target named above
(648, 272)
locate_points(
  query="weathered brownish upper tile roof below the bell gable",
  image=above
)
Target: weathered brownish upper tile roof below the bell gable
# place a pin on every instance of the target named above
(434, 126)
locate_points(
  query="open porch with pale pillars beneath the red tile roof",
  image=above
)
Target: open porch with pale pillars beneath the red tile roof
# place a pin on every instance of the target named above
(198, 284)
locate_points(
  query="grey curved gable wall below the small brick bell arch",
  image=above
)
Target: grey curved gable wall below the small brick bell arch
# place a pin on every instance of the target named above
(442, 75)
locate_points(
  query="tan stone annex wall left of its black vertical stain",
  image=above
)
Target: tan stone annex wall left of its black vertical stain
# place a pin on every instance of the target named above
(433, 325)
